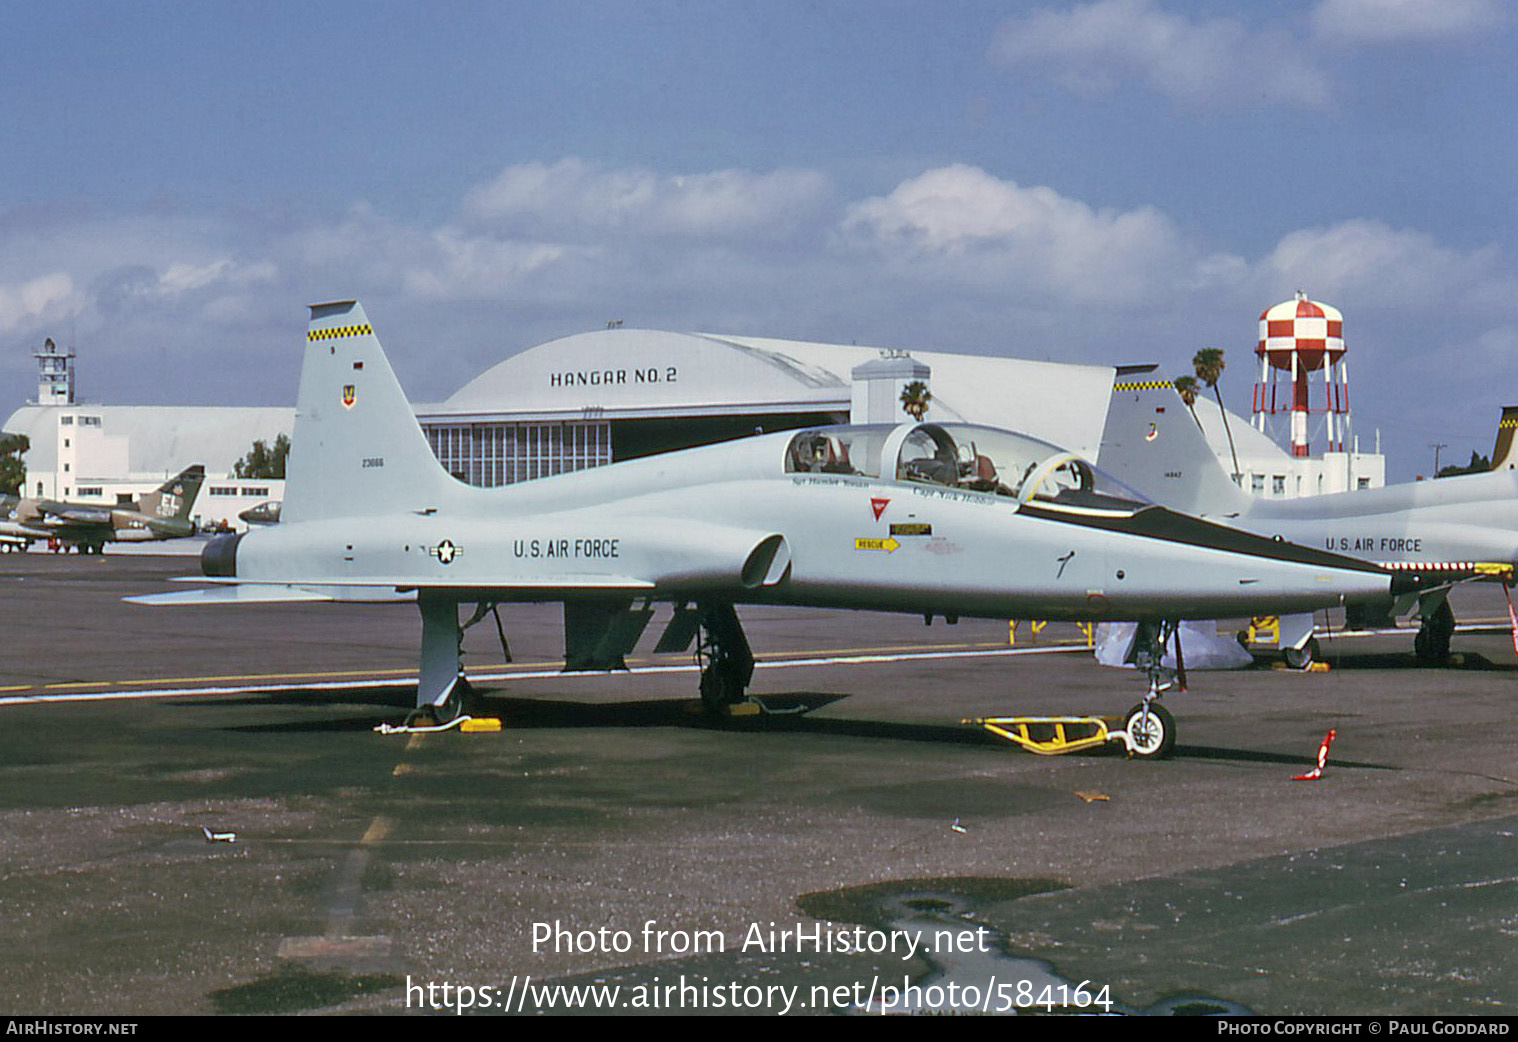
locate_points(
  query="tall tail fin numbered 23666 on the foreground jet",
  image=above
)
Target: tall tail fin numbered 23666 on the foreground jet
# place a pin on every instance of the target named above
(357, 449)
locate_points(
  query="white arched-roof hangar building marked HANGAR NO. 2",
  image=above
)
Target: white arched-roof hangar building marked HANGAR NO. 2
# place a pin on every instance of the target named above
(620, 394)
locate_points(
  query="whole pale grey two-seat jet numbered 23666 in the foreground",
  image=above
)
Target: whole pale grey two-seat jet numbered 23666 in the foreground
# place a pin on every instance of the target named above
(927, 519)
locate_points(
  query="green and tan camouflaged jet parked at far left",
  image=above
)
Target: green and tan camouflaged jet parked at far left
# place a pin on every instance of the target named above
(163, 514)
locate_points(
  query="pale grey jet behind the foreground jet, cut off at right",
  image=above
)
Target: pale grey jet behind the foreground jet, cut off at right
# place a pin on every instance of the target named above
(1434, 534)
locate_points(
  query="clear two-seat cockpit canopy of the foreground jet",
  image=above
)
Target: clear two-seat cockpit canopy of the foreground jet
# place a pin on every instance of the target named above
(962, 456)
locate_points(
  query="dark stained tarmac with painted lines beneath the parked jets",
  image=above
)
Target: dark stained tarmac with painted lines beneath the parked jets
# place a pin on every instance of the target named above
(863, 853)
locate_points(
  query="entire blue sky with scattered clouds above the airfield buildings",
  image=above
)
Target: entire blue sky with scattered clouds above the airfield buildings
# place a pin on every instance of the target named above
(1106, 182)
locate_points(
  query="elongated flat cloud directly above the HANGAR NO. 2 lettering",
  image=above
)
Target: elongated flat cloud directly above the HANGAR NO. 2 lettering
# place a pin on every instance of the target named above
(578, 200)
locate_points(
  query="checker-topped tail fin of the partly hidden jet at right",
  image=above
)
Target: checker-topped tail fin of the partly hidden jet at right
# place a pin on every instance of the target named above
(1156, 446)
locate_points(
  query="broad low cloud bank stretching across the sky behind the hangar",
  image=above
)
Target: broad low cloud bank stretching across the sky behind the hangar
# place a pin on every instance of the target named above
(953, 257)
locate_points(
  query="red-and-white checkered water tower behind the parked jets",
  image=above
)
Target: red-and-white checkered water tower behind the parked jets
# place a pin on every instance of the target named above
(1302, 338)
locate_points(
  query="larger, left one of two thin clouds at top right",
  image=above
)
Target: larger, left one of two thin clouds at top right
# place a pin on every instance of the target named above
(1215, 63)
